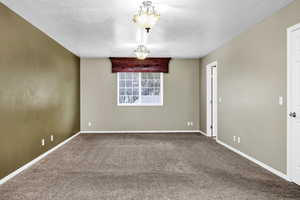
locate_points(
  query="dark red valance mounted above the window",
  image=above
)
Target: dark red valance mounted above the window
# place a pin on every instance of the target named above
(136, 65)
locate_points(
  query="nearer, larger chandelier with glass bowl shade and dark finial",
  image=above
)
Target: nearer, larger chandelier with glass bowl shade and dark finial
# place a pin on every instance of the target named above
(147, 16)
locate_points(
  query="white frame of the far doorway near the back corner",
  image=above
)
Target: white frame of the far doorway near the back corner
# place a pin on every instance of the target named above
(215, 100)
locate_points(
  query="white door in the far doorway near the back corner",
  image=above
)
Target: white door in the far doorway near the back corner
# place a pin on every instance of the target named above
(211, 78)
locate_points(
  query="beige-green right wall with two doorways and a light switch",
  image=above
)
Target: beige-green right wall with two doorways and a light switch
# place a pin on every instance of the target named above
(252, 74)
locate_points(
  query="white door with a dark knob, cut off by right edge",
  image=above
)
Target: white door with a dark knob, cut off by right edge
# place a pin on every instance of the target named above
(294, 104)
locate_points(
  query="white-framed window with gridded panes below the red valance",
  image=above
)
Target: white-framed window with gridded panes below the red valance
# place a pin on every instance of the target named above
(140, 89)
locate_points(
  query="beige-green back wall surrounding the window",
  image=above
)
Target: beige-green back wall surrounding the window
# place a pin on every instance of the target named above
(99, 99)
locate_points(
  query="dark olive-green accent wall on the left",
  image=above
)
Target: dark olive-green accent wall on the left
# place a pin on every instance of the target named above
(39, 92)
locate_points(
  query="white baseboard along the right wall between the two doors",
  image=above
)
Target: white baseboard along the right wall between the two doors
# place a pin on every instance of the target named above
(274, 171)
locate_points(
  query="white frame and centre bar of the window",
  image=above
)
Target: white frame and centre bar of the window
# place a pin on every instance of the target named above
(140, 84)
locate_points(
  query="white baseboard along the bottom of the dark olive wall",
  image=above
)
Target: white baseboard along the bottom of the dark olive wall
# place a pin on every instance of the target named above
(28, 165)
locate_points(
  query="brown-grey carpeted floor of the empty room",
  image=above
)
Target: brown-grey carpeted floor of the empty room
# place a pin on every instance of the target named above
(146, 167)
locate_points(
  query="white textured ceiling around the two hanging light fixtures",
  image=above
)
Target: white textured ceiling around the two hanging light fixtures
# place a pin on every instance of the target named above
(103, 28)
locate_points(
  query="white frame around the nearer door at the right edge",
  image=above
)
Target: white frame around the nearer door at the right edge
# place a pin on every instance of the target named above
(289, 100)
